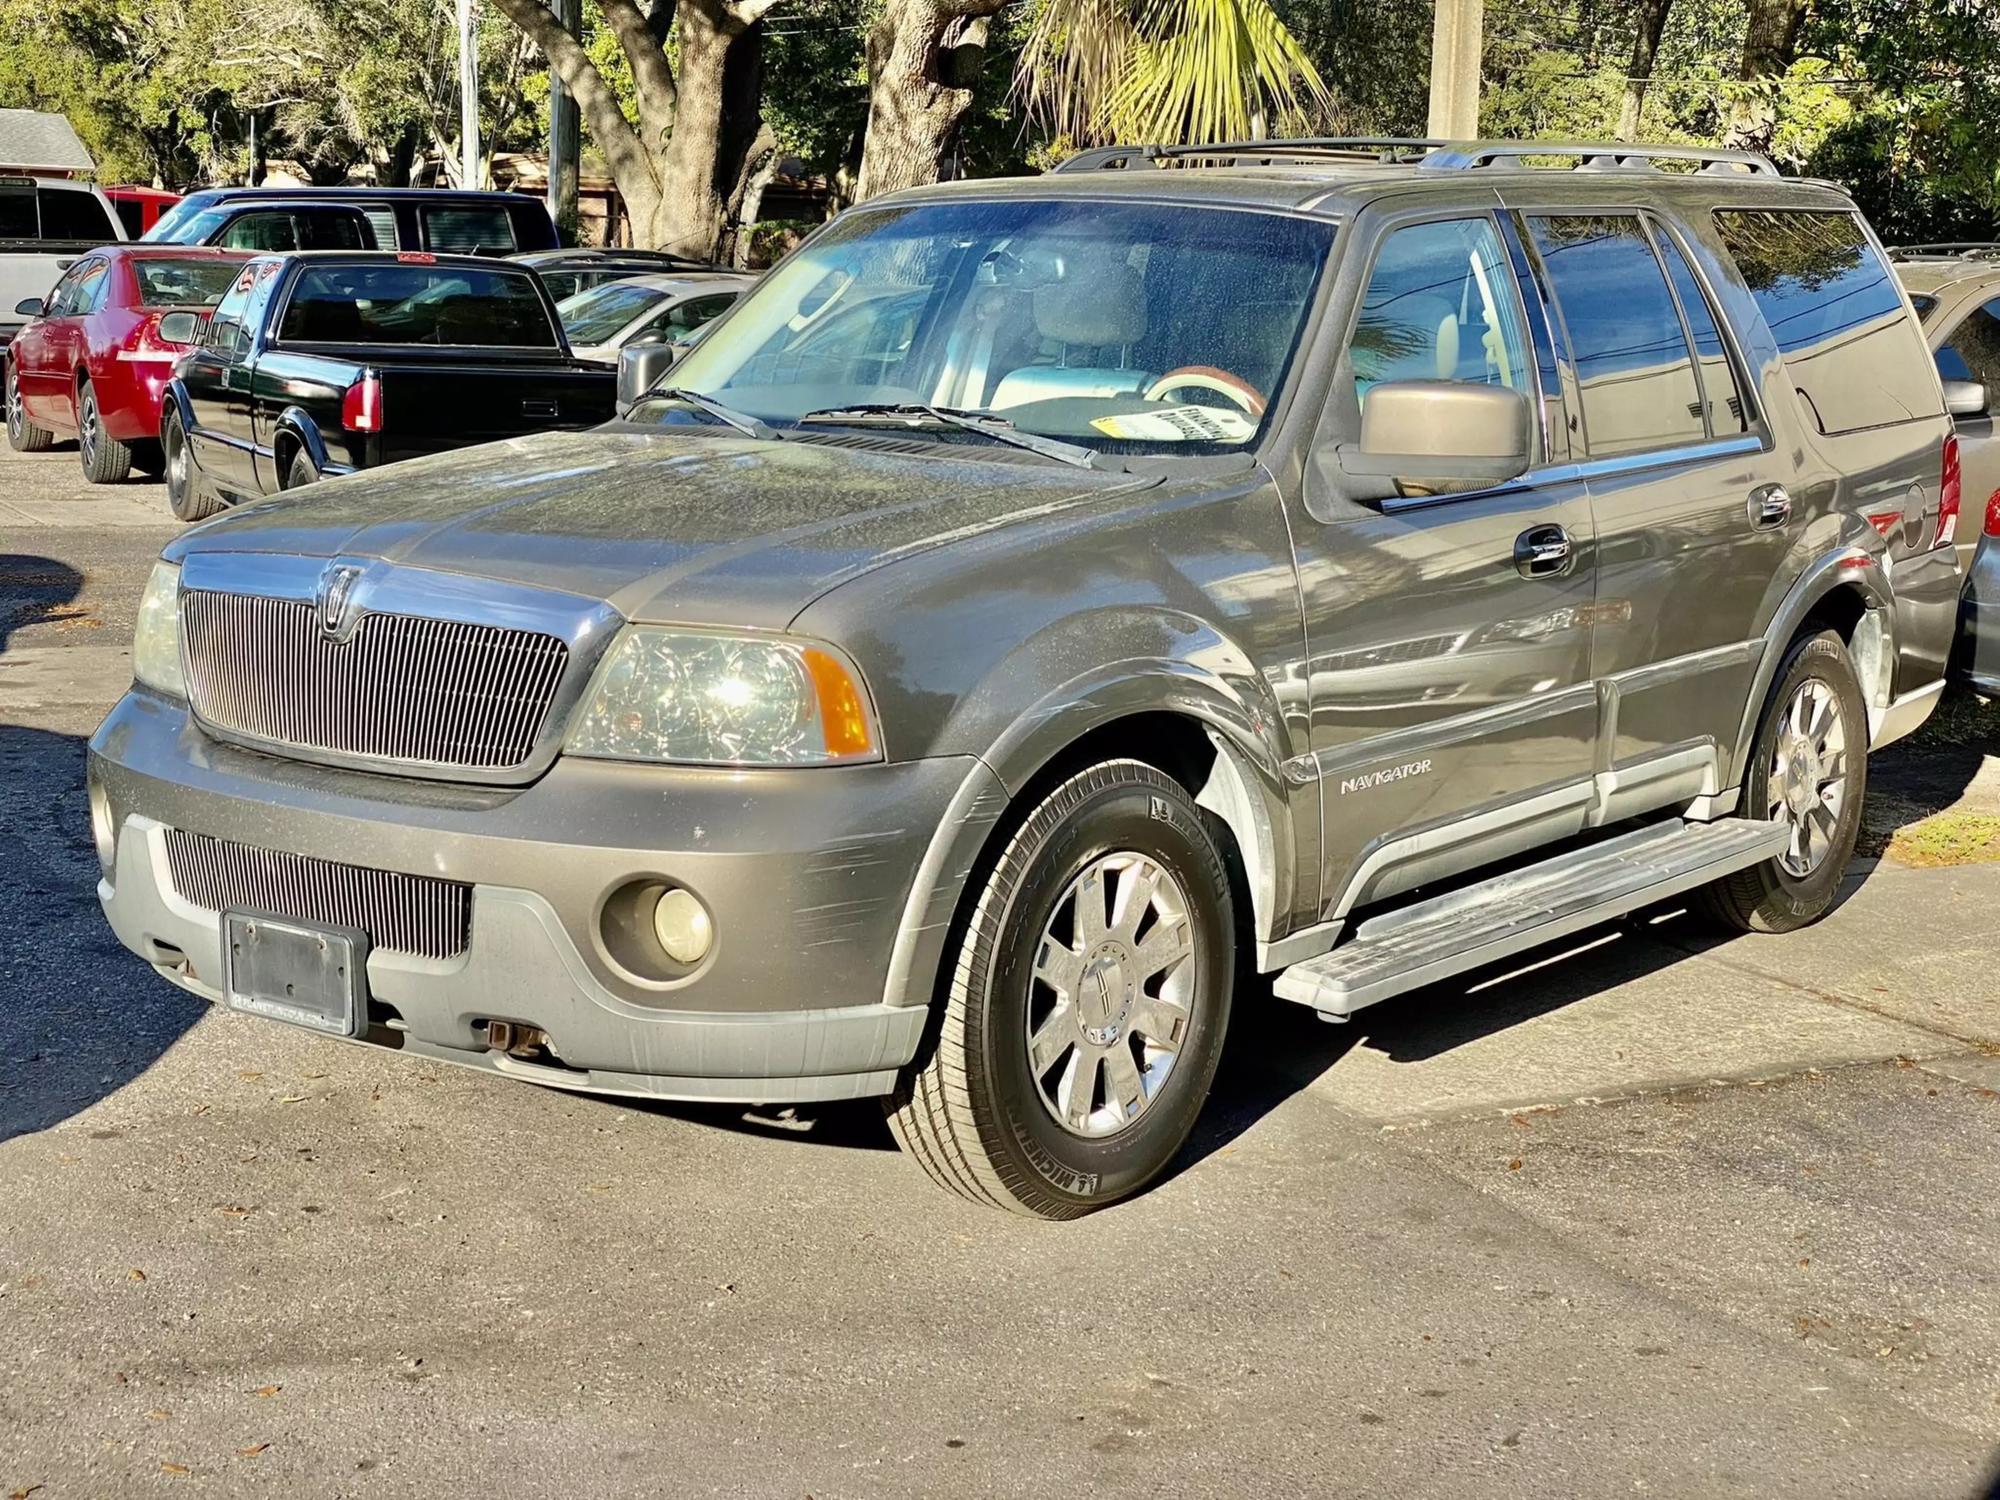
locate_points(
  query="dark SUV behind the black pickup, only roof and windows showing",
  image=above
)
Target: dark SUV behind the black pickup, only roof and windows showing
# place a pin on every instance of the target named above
(441, 221)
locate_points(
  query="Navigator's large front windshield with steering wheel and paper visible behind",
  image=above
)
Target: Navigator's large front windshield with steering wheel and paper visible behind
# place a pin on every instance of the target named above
(1121, 327)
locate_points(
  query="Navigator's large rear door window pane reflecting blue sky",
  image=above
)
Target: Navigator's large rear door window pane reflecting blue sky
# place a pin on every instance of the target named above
(1633, 365)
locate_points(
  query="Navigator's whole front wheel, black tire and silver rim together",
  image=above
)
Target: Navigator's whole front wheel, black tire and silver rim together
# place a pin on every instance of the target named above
(1087, 1003)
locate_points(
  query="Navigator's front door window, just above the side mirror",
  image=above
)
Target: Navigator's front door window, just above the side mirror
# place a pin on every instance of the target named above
(1439, 307)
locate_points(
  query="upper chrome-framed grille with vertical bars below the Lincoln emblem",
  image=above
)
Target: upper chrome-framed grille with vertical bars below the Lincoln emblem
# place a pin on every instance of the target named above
(401, 687)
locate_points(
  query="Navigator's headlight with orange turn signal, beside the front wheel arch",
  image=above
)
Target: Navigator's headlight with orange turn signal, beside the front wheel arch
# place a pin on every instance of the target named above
(707, 699)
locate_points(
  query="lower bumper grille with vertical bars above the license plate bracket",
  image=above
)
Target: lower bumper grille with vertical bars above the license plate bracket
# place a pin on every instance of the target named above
(413, 915)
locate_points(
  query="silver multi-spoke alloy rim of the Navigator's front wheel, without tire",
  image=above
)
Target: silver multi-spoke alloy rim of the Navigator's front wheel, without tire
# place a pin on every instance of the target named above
(1113, 989)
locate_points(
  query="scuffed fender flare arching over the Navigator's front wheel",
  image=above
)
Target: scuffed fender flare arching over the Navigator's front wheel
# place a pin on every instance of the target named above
(1245, 789)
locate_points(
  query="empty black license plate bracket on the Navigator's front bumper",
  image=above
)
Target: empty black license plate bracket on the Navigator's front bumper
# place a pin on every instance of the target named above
(299, 973)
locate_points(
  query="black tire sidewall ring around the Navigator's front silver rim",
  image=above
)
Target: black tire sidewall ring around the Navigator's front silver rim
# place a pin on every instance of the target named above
(1151, 819)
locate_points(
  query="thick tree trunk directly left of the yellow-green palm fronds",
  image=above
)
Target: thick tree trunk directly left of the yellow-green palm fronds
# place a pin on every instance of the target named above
(923, 61)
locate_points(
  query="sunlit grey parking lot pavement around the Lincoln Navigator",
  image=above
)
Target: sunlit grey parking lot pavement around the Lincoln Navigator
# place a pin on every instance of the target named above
(1659, 1215)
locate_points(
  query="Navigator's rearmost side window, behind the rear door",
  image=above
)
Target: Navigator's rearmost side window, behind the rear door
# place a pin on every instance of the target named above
(1837, 315)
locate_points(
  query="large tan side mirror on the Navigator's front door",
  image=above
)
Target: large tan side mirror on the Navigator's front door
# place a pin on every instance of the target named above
(1427, 433)
